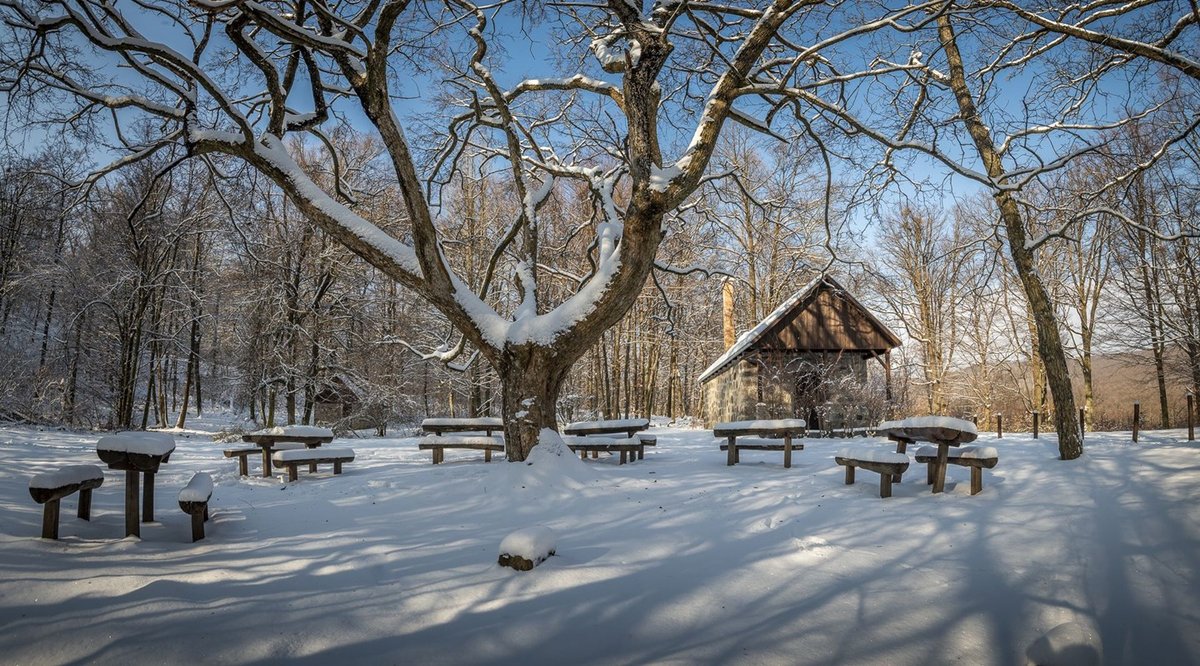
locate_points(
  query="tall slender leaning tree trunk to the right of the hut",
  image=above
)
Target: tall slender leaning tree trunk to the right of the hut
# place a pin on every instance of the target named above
(1051, 349)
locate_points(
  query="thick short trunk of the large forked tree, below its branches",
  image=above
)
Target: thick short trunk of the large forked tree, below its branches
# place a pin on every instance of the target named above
(531, 380)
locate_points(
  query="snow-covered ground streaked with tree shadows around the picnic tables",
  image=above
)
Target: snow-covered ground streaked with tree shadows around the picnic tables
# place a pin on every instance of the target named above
(675, 560)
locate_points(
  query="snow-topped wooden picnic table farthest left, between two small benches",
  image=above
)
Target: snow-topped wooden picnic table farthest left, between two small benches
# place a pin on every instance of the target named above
(134, 453)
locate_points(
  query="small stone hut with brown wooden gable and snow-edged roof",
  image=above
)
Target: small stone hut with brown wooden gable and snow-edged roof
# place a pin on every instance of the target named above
(795, 361)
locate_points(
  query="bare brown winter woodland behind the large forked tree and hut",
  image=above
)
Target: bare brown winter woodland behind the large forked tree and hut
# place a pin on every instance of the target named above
(139, 301)
